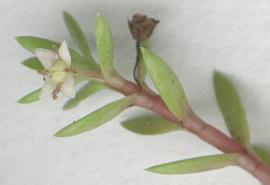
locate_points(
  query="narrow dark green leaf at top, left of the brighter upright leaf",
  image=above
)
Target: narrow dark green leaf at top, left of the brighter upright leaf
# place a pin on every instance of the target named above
(77, 34)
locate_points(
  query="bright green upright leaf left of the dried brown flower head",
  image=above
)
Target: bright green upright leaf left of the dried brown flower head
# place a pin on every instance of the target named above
(104, 46)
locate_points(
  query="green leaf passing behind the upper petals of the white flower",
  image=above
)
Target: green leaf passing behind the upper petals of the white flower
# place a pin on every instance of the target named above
(31, 43)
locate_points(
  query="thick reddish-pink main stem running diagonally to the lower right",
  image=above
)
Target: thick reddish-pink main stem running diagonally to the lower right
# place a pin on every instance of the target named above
(149, 100)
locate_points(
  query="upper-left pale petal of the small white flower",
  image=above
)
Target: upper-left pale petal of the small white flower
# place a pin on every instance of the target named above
(45, 56)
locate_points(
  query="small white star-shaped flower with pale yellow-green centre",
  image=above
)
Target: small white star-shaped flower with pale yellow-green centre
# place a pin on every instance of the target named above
(58, 75)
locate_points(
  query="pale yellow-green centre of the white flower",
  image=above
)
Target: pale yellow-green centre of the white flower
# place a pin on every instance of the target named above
(57, 71)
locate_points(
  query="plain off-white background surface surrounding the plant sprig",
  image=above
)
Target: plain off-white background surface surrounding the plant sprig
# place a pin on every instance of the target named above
(194, 36)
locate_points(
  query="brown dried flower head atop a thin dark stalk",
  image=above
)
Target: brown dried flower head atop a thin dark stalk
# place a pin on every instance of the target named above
(141, 27)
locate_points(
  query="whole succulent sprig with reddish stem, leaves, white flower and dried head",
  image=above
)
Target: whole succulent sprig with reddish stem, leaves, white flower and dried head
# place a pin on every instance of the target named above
(169, 103)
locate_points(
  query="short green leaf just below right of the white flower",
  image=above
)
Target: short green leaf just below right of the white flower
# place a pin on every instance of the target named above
(86, 91)
